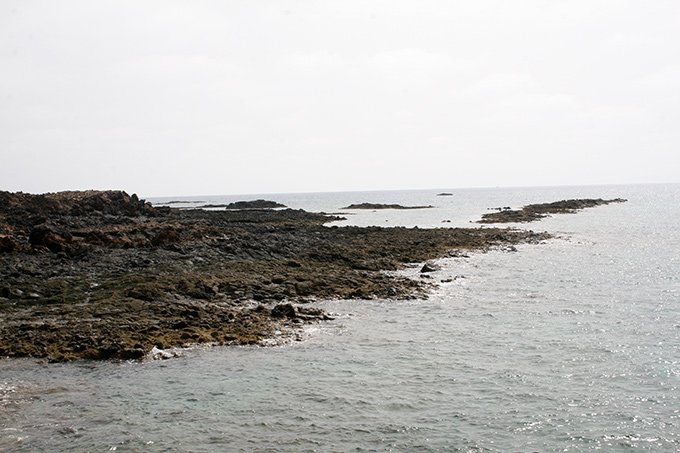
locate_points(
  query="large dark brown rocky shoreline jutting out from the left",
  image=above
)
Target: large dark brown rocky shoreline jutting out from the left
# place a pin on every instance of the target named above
(105, 275)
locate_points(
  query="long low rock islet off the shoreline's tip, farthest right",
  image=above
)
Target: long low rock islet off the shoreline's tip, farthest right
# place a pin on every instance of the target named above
(534, 212)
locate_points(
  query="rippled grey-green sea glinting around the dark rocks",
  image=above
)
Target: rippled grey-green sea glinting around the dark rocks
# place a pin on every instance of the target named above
(568, 345)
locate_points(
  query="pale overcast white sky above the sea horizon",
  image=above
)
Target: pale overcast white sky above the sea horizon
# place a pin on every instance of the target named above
(200, 97)
